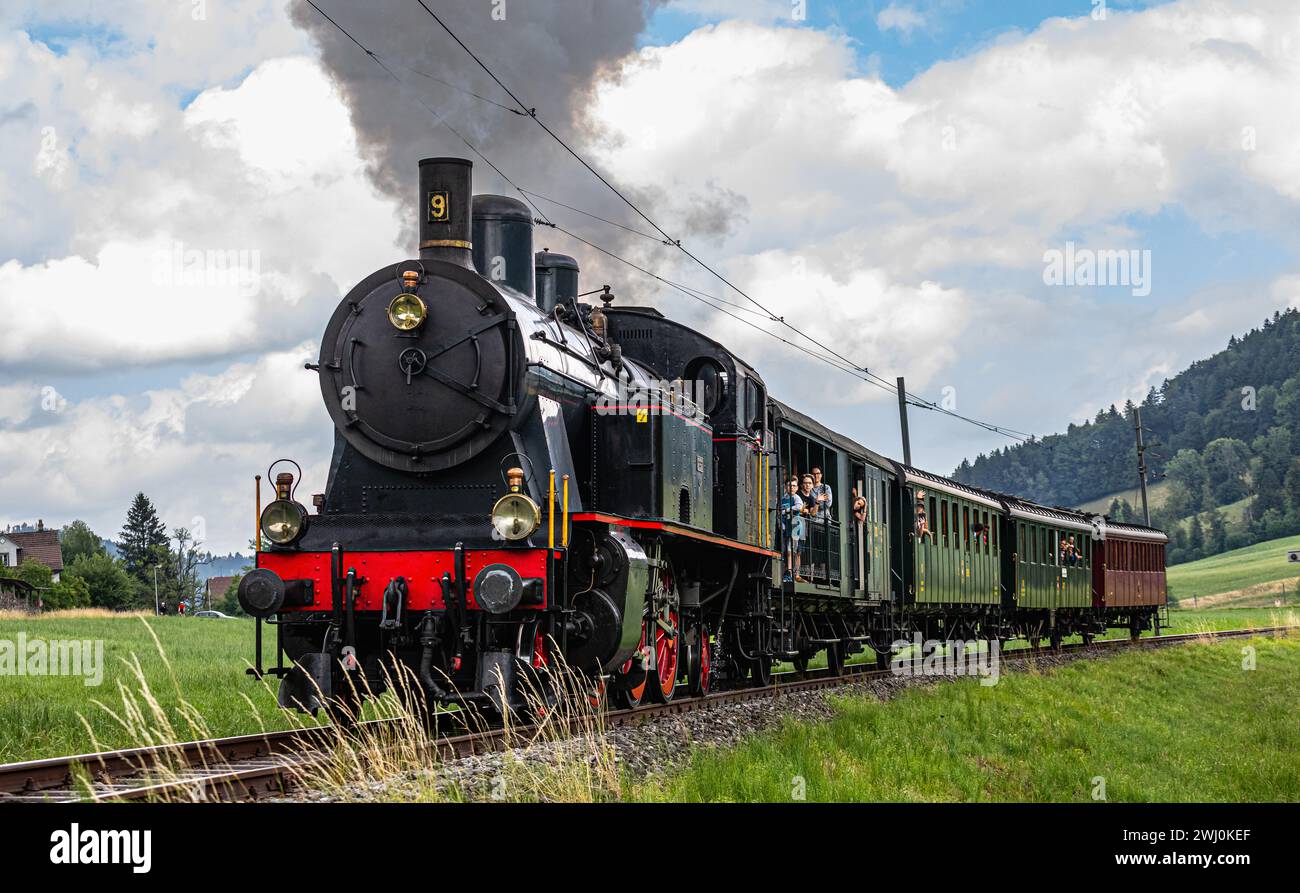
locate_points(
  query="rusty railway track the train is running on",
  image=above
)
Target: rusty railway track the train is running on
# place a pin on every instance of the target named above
(267, 765)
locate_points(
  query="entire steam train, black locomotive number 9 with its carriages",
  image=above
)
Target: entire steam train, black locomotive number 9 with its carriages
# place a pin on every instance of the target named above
(521, 476)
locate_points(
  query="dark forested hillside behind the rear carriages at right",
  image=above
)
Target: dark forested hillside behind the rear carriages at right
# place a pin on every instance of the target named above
(1227, 430)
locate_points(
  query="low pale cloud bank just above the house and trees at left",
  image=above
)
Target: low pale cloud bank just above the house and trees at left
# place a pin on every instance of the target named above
(193, 448)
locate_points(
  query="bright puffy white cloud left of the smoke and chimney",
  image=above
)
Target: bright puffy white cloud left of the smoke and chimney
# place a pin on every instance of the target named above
(231, 244)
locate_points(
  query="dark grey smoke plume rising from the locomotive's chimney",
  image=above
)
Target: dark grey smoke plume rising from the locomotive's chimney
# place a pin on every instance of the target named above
(551, 53)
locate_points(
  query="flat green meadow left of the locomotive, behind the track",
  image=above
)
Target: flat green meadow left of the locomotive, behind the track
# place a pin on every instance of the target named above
(41, 716)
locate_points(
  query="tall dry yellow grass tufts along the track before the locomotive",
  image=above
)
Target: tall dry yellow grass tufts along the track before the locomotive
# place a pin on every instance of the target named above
(554, 749)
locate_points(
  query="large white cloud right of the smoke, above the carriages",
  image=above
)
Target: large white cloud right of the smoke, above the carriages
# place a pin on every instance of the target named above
(968, 175)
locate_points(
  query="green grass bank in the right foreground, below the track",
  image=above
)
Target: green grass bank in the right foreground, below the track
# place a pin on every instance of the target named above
(1177, 725)
